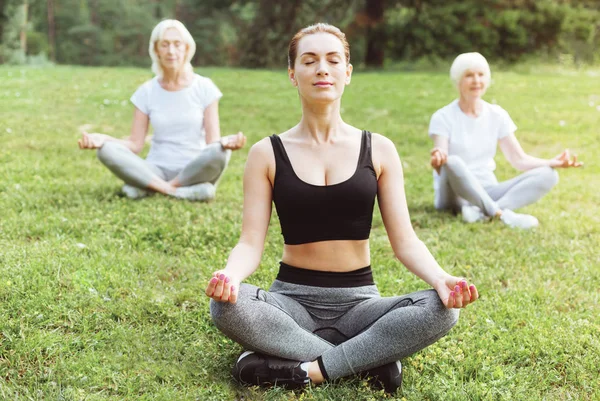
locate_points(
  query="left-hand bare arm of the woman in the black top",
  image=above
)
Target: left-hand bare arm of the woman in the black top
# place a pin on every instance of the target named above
(245, 256)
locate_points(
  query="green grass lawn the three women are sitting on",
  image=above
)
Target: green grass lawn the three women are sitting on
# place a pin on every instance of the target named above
(123, 316)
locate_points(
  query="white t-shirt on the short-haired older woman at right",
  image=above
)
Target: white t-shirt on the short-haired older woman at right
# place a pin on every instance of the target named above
(474, 140)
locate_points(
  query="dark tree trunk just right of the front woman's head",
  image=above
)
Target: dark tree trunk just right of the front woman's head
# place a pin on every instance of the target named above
(376, 36)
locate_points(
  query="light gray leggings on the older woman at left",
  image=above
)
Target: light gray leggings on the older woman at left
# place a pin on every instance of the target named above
(135, 171)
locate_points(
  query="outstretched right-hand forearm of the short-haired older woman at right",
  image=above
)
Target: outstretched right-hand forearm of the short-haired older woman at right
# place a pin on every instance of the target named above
(516, 156)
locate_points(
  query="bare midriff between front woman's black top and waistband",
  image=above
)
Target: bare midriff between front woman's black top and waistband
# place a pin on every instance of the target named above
(332, 256)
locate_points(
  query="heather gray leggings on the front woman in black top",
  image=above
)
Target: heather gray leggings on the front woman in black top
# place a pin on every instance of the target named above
(350, 329)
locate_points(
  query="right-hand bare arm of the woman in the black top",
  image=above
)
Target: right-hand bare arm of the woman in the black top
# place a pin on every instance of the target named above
(411, 251)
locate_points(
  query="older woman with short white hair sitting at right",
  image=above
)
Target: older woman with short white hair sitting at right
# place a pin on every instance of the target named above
(465, 135)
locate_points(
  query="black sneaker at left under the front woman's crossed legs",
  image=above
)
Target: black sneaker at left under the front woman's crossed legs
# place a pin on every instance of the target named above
(254, 369)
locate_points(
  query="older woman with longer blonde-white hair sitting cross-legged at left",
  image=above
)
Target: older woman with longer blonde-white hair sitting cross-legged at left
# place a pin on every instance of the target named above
(187, 156)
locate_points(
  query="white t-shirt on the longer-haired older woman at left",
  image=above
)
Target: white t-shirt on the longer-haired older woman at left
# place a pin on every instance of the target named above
(177, 118)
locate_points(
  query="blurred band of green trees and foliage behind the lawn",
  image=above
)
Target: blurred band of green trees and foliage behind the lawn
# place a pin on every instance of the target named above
(255, 33)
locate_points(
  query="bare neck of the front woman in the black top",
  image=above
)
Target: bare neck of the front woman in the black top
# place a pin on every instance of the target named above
(322, 122)
